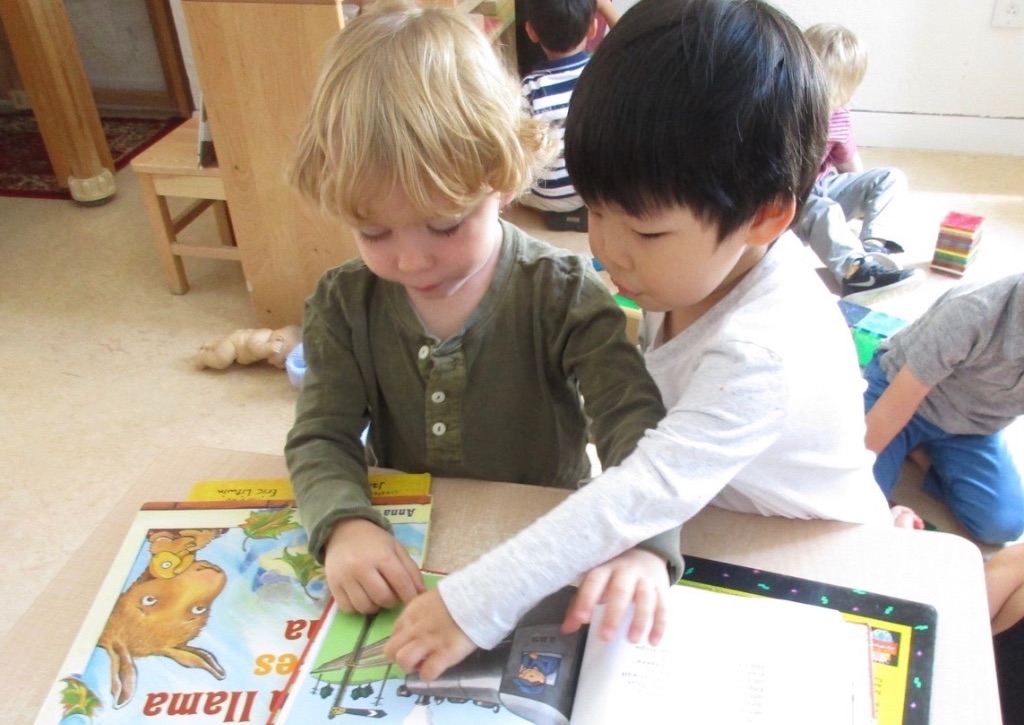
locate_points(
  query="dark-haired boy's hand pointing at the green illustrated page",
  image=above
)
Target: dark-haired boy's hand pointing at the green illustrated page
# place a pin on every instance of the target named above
(426, 641)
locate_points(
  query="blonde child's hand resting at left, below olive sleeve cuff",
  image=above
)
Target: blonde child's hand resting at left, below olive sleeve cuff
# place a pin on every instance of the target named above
(368, 570)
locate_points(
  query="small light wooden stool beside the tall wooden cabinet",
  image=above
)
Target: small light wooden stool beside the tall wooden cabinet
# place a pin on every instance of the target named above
(170, 168)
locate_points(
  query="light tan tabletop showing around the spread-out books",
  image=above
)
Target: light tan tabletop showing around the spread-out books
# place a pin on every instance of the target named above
(472, 517)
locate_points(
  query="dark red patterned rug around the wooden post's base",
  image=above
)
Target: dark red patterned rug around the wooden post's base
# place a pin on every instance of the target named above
(25, 167)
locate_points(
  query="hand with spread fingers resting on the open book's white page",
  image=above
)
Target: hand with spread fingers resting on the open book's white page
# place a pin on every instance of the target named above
(634, 578)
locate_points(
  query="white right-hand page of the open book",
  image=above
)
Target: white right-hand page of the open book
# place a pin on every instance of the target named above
(724, 659)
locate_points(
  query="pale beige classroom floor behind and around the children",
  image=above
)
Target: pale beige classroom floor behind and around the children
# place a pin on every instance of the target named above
(96, 355)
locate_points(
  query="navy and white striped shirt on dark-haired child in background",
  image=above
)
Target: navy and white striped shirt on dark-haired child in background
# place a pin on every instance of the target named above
(546, 95)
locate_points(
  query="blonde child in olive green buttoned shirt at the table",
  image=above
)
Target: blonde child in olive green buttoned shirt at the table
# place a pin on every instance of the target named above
(464, 345)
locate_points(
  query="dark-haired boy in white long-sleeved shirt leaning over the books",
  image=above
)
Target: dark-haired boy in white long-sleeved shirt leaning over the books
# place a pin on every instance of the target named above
(695, 136)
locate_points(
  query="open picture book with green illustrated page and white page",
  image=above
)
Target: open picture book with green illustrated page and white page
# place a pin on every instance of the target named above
(726, 659)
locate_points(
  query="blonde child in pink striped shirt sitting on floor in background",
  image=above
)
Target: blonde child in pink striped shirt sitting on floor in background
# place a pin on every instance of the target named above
(845, 191)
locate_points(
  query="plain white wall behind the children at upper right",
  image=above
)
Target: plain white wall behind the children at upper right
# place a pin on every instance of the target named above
(941, 77)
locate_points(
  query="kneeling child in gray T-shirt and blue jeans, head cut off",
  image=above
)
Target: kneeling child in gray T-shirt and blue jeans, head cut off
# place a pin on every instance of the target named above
(943, 391)
